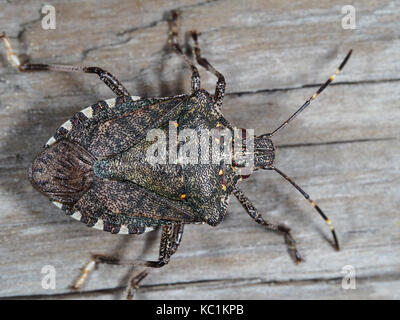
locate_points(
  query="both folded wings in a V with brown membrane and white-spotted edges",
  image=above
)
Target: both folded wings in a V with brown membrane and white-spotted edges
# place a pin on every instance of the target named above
(64, 170)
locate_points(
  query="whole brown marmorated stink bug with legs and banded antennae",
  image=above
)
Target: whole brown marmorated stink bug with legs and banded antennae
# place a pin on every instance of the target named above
(96, 166)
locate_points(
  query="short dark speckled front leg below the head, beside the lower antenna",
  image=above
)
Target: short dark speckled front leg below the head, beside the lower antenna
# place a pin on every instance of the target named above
(254, 214)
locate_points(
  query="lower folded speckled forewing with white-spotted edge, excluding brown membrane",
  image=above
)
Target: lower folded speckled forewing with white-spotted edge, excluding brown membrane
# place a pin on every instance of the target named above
(125, 207)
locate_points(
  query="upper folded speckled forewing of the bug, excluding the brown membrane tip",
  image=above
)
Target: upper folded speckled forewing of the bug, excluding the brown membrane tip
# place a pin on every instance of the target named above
(117, 128)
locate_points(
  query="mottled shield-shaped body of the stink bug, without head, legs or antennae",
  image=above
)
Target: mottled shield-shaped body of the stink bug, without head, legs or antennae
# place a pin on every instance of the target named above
(95, 166)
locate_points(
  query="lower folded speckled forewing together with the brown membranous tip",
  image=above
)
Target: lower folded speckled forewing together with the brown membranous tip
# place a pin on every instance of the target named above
(64, 173)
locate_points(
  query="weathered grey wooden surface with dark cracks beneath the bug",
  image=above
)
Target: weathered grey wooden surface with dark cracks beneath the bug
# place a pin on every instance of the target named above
(344, 150)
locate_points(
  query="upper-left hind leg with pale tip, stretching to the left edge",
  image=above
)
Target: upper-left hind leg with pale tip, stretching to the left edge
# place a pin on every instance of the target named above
(112, 82)
